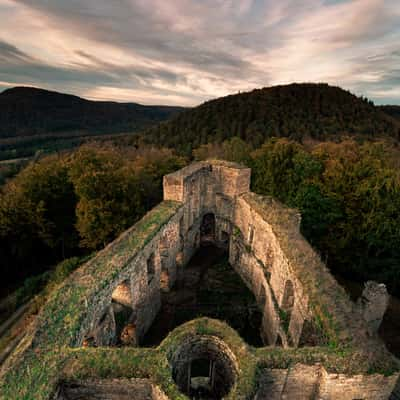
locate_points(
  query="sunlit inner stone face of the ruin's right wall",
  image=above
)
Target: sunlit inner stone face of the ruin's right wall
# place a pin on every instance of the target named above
(263, 264)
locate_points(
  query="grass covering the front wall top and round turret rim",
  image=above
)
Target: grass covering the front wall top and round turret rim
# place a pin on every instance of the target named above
(37, 376)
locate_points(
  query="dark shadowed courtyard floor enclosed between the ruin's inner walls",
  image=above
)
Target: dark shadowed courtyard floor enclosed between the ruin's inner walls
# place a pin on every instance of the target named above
(208, 286)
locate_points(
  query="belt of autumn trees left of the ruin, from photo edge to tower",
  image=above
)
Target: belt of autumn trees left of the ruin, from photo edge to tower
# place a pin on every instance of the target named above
(61, 205)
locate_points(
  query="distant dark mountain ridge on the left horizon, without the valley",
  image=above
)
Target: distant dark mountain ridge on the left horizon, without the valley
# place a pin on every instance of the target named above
(26, 111)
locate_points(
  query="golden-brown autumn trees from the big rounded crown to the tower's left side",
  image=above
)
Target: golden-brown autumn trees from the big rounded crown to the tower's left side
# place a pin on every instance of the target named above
(115, 188)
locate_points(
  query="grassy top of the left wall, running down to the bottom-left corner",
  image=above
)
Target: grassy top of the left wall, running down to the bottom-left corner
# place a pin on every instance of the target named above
(35, 375)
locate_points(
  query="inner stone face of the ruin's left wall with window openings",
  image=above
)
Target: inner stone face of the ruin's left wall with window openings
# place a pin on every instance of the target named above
(138, 286)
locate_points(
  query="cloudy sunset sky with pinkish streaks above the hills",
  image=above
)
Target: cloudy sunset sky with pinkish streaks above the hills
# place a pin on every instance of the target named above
(184, 52)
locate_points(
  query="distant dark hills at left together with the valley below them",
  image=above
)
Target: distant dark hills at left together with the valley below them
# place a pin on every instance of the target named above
(35, 121)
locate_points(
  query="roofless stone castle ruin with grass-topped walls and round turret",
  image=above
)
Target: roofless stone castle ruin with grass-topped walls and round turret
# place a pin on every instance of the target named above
(318, 343)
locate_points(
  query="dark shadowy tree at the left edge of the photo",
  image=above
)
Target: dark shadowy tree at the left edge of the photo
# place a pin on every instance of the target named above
(40, 202)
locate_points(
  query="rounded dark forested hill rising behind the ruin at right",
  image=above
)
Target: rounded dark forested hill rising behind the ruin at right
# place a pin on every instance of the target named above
(296, 111)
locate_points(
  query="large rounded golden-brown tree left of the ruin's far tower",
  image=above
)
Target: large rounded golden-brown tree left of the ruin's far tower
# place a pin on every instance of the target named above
(110, 198)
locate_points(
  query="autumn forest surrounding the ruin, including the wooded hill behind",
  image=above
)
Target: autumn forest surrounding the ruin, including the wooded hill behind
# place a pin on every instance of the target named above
(346, 185)
